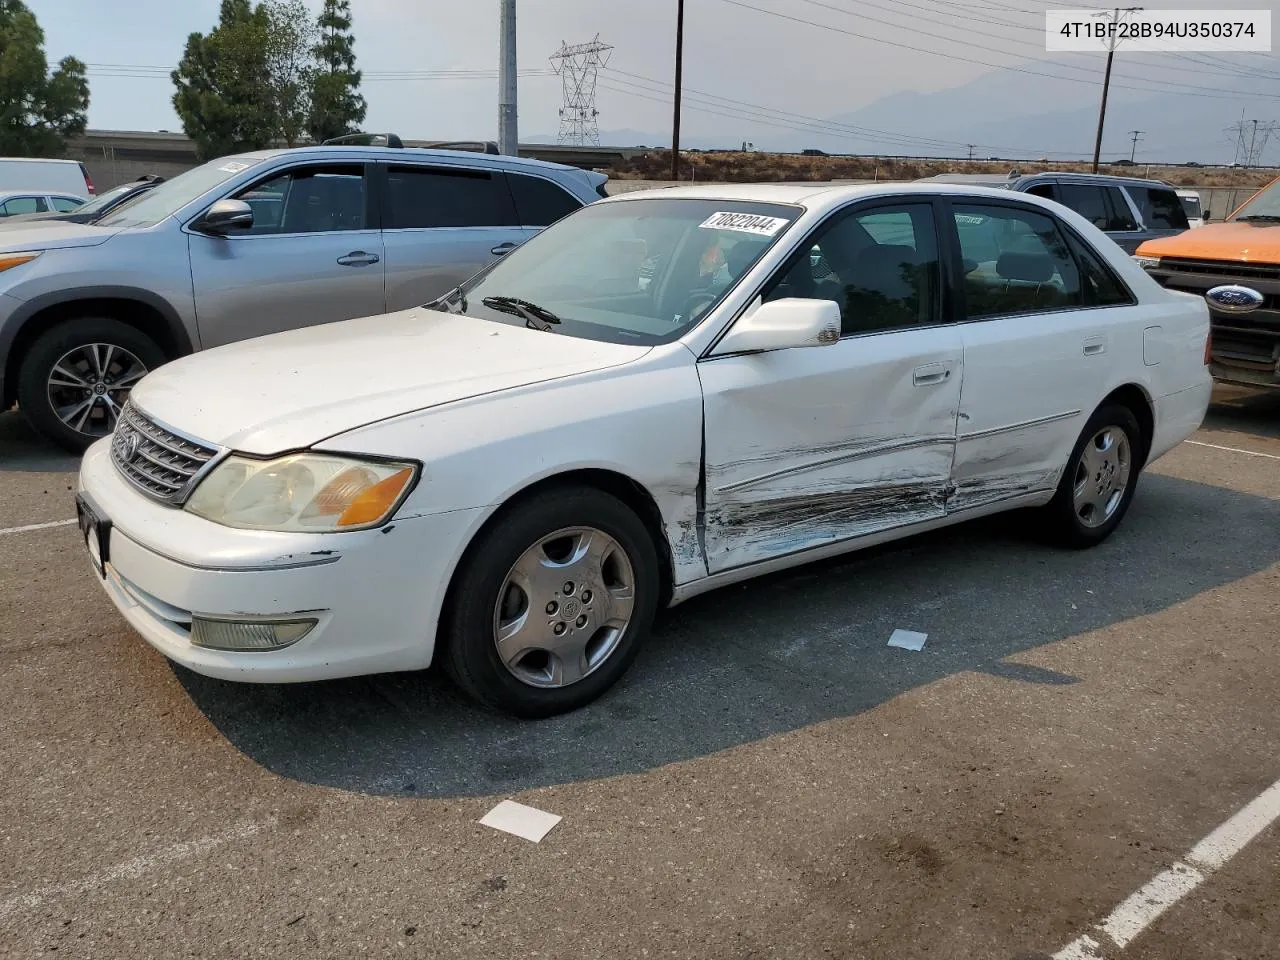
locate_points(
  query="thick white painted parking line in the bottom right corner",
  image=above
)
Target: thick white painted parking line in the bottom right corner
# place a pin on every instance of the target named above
(1168, 888)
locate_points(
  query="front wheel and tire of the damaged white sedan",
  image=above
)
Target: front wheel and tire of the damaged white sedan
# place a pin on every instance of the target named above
(518, 579)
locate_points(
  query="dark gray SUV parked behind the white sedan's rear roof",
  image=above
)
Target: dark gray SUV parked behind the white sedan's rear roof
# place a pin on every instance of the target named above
(1127, 209)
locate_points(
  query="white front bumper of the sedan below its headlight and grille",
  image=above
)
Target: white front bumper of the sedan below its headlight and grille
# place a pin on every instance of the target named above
(377, 595)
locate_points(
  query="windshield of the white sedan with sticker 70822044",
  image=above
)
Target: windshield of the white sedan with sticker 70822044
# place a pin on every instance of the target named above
(629, 272)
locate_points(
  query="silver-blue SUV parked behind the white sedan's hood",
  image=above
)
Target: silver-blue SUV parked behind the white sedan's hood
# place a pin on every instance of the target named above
(252, 245)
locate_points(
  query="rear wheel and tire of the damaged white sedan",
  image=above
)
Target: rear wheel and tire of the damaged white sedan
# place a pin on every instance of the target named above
(1100, 479)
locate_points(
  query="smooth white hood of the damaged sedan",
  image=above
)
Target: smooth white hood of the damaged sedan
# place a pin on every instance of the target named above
(294, 390)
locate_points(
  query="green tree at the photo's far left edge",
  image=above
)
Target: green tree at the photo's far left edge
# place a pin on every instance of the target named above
(38, 111)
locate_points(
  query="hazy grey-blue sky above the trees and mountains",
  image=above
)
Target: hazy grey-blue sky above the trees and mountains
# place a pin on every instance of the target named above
(730, 52)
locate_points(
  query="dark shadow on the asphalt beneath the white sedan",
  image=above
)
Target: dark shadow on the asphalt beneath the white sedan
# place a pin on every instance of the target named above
(765, 657)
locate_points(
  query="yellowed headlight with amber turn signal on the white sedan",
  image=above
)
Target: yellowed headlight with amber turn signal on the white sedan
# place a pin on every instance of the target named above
(304, 492)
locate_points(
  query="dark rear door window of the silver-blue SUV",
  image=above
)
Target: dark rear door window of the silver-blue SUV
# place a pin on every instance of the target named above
(438, 196)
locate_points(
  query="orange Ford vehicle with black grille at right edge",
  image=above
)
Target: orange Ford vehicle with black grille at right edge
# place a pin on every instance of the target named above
(1236, 266)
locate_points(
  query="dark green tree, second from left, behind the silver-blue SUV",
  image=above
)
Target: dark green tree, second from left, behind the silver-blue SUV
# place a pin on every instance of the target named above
(222, 81)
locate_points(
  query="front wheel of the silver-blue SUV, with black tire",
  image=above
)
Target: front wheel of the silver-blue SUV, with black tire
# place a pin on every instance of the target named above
(108, 356)
